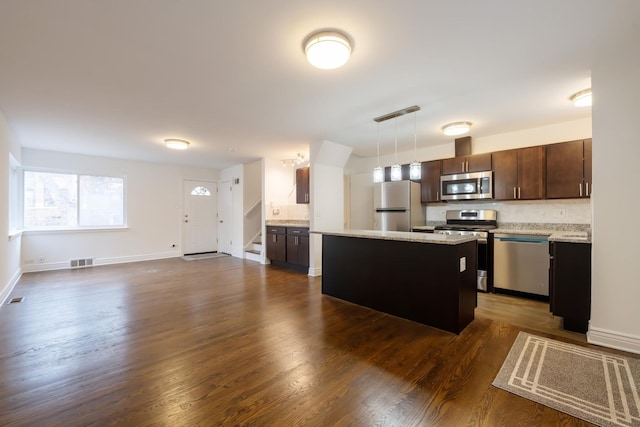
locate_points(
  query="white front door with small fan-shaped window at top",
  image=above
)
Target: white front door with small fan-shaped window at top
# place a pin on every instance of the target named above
(199, 221)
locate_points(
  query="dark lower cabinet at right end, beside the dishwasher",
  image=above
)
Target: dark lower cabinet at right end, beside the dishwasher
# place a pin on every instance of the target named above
(570, 284)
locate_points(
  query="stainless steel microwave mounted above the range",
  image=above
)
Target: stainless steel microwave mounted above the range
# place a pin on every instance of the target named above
(467, 186)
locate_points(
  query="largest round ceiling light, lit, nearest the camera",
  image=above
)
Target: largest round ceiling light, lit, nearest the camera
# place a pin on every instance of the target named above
(327, 49)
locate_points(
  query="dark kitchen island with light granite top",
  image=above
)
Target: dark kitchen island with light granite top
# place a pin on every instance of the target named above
(427, 278)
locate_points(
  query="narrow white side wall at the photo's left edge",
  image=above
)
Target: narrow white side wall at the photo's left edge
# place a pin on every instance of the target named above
(10, 270)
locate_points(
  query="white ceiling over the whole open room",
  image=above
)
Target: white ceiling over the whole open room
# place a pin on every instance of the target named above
(115, 78)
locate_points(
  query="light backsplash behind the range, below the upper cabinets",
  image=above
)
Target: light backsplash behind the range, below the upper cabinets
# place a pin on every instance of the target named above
(565, 211)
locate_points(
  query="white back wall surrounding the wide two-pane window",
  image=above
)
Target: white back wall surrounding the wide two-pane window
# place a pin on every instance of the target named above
(154, 210)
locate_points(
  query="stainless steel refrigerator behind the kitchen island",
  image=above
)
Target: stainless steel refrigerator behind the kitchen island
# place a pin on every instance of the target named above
(397, 206)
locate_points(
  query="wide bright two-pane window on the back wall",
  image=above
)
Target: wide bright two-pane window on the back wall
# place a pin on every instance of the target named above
(62, 200)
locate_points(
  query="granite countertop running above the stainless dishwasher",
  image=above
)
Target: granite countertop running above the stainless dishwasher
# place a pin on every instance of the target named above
(570, 233)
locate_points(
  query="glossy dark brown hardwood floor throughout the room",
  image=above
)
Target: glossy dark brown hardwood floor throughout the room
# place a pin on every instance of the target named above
(225, 341)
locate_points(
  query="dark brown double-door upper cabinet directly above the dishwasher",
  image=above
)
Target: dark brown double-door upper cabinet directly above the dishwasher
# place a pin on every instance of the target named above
(519, 174)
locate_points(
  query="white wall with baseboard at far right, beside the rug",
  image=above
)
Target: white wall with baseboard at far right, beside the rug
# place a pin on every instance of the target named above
(615, 302)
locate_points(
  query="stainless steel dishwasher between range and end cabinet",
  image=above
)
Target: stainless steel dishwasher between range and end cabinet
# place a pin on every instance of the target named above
(521, 263)
